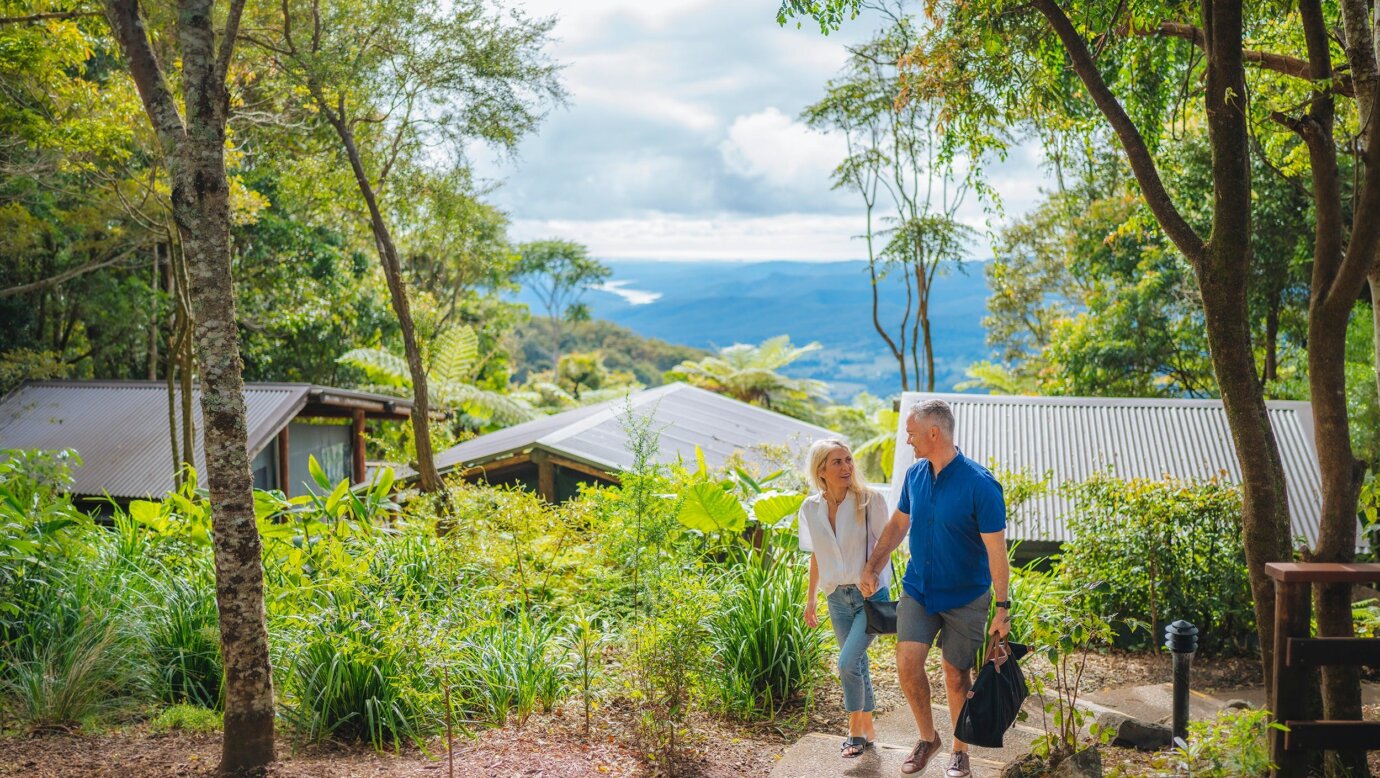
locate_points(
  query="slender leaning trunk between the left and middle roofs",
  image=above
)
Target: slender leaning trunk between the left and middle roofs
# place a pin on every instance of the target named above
(428, 478)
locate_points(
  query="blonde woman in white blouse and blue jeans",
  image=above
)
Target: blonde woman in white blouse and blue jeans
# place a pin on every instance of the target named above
(840, 526)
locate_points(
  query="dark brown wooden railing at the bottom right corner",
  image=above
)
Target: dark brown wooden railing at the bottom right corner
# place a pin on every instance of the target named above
(1297, 650)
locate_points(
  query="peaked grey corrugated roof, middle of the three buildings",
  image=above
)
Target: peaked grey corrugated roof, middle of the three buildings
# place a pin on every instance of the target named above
(684, 416)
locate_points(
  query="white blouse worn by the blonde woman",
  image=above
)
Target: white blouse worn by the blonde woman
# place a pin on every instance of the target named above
(840, 555)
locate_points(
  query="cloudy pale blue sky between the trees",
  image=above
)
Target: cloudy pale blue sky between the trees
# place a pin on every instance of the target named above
(681, 140)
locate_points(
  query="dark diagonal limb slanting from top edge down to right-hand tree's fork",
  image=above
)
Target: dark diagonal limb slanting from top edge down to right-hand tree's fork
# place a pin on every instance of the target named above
(1138, 154)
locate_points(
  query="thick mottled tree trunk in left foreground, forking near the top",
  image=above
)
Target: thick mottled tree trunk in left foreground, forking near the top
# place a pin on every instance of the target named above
(195, 155)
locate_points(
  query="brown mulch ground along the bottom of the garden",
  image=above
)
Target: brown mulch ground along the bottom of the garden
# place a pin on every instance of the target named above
(554, 746)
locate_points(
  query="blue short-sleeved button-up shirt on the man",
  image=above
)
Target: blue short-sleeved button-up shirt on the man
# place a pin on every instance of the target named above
(949, 517)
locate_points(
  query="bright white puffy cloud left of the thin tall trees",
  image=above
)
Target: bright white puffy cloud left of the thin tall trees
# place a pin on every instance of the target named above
(779, 150)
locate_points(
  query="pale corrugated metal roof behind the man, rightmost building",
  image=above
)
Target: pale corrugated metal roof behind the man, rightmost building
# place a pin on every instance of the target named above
(1073, 438)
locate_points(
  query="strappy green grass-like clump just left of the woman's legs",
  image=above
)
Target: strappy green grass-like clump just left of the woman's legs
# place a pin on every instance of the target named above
(764, 653)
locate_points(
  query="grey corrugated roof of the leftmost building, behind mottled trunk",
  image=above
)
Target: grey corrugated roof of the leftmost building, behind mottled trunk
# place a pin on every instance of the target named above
(121, 428)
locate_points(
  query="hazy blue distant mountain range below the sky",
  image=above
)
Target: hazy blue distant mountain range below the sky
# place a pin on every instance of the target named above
(718, 304)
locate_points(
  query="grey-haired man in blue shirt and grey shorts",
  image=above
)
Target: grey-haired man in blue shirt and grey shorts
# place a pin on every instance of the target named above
(957, 519)
